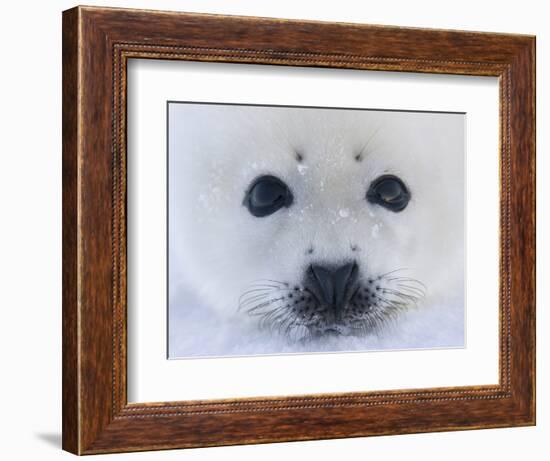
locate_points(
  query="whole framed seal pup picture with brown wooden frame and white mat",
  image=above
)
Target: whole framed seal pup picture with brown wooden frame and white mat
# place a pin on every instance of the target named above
(282, 230)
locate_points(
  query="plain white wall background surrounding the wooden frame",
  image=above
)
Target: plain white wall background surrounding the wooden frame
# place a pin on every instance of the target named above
(30, 247)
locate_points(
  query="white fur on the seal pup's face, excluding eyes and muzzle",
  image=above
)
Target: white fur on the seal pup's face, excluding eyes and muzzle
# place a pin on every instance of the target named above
(218, 249)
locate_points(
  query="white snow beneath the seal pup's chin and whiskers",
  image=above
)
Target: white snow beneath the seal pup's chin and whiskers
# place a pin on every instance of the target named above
(197, 331)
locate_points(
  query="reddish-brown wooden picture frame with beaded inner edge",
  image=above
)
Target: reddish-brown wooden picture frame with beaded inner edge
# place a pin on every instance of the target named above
(97, 43)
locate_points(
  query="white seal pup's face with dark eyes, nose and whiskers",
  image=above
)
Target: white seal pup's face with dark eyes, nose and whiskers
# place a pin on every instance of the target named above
(320, 225)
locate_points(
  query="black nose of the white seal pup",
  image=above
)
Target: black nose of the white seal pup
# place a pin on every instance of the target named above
(331, 284)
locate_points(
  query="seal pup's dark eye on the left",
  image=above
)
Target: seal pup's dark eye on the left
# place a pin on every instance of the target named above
(266, 195)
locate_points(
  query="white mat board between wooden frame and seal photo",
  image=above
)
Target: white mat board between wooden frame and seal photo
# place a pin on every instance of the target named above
(153, 378)
